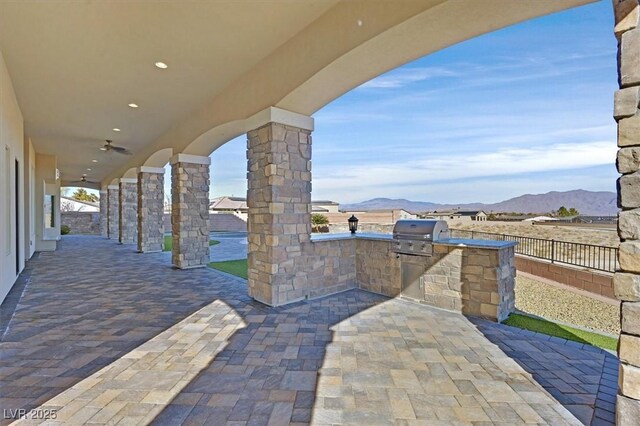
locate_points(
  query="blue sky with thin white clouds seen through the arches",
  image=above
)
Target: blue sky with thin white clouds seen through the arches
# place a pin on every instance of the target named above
(527, 109)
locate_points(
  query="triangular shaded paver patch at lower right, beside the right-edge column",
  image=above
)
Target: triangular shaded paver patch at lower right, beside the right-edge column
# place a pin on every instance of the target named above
(581, 377)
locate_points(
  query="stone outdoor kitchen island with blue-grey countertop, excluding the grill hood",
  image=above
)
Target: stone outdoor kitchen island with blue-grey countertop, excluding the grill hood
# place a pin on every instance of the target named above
(474, 277)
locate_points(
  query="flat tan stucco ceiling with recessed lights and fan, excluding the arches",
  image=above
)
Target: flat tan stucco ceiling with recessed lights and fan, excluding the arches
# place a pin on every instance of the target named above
(75, 66)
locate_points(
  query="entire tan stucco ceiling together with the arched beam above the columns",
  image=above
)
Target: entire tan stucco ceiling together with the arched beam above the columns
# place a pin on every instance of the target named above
(76, 65)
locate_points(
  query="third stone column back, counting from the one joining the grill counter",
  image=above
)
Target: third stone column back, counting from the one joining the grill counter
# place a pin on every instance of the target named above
(150, 209)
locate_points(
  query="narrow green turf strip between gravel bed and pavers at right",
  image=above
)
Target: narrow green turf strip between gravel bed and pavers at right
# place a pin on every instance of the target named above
(562, 331)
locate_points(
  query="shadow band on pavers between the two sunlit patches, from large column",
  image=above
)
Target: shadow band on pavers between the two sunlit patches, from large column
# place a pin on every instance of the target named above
(268, 373)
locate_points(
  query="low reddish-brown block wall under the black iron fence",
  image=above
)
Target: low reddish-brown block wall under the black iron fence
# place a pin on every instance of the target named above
(594, 282)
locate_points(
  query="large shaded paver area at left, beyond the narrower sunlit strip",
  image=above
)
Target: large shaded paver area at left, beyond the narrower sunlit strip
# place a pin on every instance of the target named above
(88, 304)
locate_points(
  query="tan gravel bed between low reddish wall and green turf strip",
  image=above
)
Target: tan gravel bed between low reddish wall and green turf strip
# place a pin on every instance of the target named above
(557, 304)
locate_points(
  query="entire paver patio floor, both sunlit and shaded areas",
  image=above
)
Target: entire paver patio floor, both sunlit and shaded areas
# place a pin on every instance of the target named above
(107, 336)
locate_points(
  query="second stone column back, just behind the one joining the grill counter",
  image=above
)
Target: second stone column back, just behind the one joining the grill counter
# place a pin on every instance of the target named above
(190, 210)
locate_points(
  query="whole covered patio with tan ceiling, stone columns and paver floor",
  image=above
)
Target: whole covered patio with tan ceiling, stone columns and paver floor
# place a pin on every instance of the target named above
(108, 330)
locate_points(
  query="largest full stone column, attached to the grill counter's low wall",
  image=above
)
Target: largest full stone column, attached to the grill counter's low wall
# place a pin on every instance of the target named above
(279, 201)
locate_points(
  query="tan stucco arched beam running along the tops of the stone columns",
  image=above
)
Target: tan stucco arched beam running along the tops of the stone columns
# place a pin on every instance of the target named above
(351, 43)
